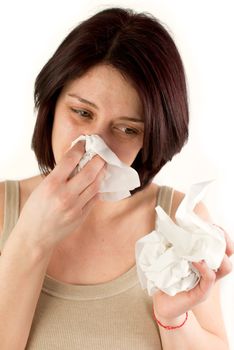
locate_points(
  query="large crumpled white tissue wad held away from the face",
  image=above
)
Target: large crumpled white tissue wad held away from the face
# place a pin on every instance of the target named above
(164, 256)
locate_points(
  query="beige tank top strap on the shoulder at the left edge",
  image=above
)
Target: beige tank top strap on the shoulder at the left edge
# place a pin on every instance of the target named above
(11, 209)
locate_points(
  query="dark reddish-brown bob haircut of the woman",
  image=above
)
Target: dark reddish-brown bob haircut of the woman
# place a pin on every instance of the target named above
(143, 51)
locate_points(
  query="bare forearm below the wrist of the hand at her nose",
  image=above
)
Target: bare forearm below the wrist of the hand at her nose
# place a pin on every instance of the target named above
(22, 271)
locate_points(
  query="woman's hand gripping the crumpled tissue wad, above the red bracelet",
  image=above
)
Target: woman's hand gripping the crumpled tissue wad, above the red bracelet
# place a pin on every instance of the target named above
(168, 308)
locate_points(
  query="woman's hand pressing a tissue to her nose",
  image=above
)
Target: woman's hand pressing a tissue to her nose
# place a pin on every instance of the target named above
(59, 204)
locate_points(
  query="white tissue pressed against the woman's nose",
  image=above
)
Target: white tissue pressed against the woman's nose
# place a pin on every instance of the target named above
(119, 179)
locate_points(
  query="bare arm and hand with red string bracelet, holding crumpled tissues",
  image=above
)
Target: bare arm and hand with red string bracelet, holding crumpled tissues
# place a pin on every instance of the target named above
(205, 326)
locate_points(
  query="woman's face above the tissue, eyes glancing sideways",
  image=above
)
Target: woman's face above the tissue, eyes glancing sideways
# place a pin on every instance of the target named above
(101, 102)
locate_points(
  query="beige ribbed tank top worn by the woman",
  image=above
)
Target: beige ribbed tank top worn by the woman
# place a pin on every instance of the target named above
(115, 315)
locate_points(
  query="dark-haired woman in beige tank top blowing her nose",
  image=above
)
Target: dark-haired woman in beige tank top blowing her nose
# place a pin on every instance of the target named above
(67, 271)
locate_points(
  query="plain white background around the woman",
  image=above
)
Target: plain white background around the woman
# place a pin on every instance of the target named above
(30, 31)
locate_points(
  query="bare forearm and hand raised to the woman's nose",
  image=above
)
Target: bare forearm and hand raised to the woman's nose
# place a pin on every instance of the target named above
(64, 203)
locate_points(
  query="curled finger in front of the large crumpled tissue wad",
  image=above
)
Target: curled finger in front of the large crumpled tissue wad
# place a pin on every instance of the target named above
(207, 279)
